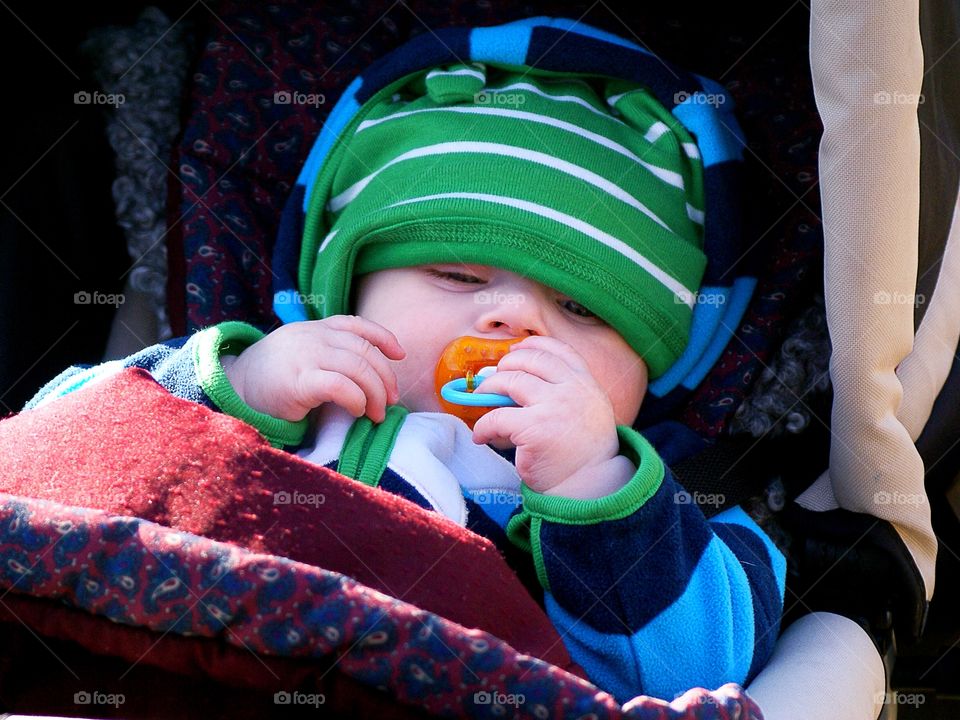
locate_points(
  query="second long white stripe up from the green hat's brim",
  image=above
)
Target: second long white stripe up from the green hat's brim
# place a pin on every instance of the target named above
(336, 204)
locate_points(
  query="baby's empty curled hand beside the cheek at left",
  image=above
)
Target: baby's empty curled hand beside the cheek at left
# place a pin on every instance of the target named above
(341, 359)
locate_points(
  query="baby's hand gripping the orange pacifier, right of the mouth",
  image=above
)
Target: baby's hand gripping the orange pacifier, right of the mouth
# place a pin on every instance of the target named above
(565, 425)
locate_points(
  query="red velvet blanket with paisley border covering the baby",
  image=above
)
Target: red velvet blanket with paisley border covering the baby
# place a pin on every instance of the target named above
(151, 530)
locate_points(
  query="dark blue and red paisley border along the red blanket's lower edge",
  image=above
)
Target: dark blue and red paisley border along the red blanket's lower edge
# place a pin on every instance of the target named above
(135, 572)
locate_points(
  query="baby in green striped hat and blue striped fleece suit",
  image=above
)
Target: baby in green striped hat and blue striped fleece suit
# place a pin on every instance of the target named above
(572, 219)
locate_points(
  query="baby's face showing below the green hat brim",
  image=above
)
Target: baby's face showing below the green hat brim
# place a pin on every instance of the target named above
(428, 306)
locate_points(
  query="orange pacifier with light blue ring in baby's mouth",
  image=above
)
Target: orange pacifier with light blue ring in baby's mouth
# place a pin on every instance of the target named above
(463, 365)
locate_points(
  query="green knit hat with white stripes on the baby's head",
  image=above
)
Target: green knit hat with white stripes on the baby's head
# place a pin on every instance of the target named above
(585, 183)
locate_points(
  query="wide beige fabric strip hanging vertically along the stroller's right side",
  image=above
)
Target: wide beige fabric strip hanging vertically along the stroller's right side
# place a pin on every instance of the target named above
(867, 65)
